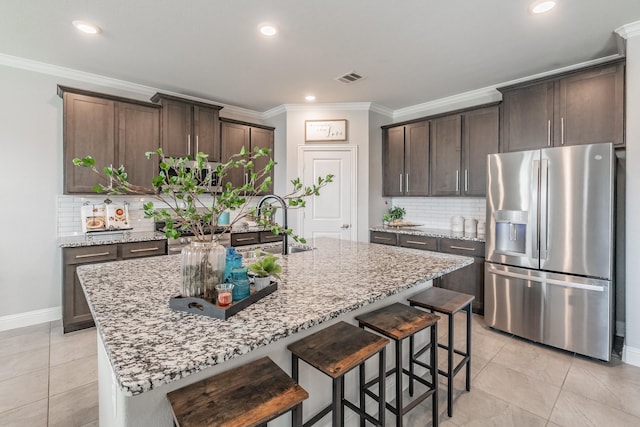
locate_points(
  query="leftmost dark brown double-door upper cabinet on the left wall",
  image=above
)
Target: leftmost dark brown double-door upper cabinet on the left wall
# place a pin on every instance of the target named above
(114, 131)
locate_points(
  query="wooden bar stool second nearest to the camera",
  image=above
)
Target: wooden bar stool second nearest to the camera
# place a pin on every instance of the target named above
(335, 351)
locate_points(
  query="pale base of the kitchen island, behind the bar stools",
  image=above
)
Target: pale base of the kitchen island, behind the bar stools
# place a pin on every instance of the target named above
(152, 409)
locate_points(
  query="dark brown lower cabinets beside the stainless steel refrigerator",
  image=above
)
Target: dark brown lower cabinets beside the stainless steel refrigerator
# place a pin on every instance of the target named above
(468, 280)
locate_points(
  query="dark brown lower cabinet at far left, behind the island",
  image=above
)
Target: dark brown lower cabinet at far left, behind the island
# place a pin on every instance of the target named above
(76, 314)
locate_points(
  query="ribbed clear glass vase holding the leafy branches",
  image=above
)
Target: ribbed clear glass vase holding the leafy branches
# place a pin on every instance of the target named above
(202, 269)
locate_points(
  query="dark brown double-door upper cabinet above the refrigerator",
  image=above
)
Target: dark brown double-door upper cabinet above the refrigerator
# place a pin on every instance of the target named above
(583, 107)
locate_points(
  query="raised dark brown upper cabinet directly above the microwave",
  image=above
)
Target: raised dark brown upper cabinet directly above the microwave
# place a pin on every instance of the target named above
(189, 127)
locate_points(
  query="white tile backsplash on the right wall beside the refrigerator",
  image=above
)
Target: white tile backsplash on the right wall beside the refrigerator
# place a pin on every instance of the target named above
(436, 212)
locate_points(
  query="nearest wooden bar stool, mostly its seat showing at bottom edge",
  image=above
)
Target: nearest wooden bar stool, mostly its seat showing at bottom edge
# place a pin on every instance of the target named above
(249, 395)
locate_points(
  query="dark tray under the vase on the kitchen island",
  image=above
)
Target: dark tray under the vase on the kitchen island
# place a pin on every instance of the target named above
(206, 308)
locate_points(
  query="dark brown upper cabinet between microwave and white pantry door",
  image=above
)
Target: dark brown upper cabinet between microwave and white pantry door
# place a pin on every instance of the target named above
(235, 135)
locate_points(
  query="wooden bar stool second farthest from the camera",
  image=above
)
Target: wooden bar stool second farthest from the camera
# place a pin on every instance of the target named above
(398, 321)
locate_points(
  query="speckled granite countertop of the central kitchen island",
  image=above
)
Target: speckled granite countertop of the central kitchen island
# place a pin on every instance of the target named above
(149, 344)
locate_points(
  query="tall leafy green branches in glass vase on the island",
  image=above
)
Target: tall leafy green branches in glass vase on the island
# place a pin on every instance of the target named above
(185, 204)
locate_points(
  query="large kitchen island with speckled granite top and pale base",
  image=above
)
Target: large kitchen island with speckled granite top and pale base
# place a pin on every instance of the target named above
(145, 349)
